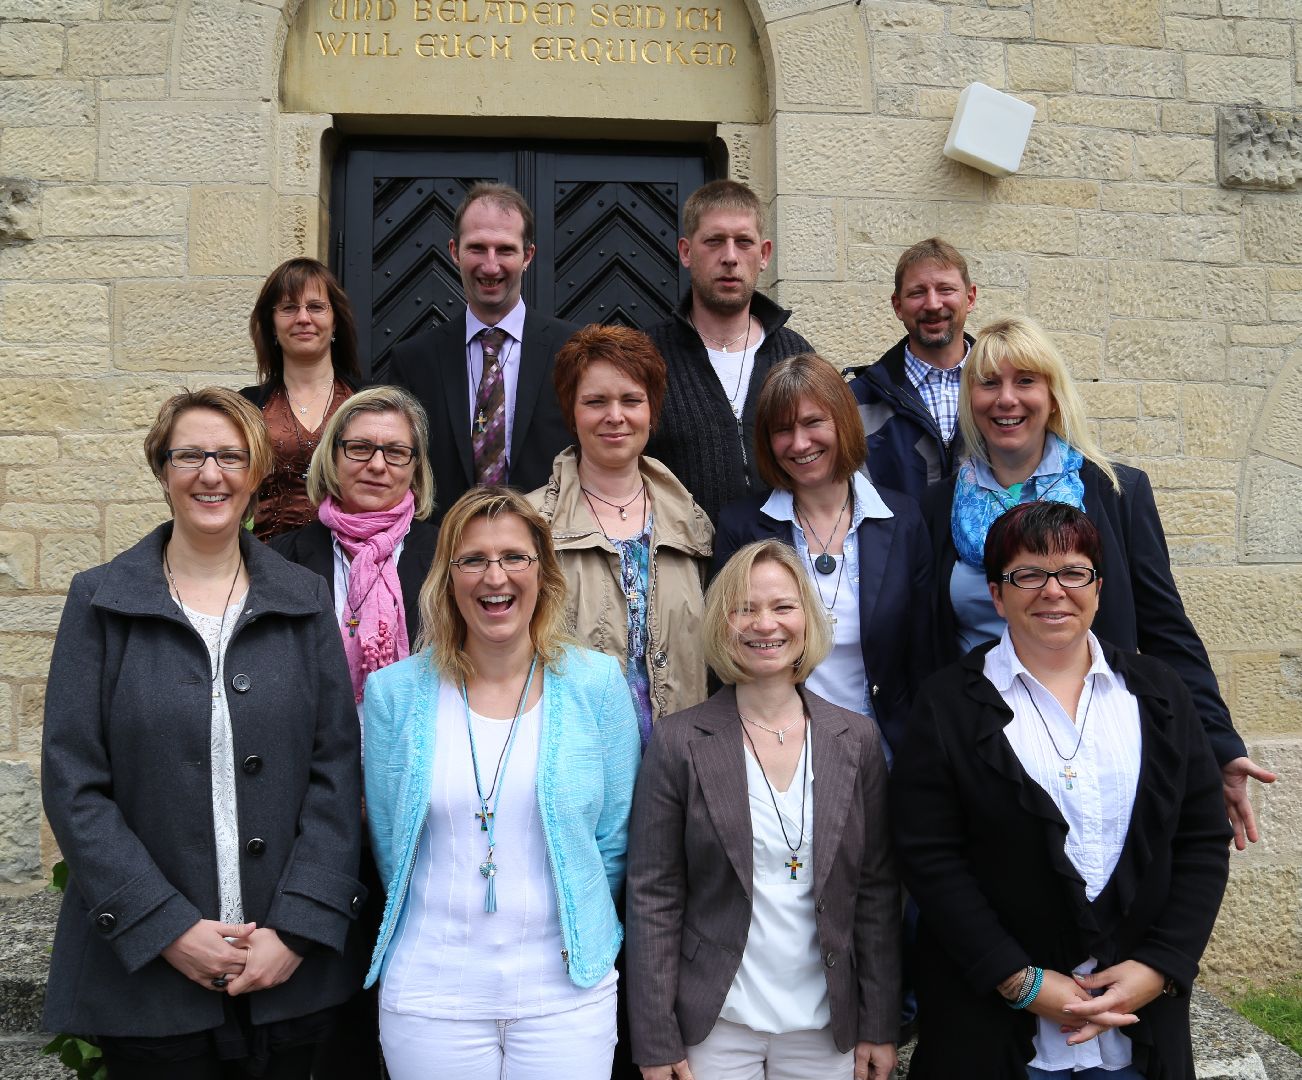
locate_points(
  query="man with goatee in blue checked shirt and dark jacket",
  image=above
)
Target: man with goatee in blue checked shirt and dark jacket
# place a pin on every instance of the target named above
(909, 399)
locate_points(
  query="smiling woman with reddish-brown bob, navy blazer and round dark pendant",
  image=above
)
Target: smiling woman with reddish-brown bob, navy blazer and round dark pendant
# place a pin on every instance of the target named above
(864, 548)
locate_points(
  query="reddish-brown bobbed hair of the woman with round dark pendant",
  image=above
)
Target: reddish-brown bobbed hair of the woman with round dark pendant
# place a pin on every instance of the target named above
(791, 381)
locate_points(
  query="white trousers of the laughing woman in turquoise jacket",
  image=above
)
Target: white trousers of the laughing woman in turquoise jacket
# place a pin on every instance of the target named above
(576, 1045)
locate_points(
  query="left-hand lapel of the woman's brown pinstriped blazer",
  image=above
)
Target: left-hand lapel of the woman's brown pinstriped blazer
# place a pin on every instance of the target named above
(721, 765)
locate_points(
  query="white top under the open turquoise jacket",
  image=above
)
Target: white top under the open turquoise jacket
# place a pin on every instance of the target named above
(451, 958)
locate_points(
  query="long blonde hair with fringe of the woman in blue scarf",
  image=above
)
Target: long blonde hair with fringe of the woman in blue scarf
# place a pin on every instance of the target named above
(1025, 347)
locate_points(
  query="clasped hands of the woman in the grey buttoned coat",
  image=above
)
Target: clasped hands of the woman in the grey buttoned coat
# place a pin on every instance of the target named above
(236, 959)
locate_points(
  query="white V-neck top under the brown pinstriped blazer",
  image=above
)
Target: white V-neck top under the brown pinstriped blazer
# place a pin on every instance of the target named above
(781, 986)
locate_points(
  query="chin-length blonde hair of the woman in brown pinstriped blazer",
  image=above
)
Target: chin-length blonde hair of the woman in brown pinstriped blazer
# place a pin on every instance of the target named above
(730, 593)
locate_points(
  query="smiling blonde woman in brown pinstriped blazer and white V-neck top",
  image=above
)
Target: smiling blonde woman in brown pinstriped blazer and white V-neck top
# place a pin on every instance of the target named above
(749, 945)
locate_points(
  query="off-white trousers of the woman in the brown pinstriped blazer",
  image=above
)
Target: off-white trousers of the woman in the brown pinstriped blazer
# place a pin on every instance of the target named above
(734, 1052)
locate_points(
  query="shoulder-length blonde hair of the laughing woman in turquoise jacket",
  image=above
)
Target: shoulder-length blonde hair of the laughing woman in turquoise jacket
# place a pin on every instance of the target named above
(443, 629)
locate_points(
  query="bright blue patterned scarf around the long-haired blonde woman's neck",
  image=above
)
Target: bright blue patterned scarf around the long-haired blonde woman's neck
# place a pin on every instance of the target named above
(980, 500)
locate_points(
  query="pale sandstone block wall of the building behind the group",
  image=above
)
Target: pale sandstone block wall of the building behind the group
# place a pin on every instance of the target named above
(1156, 227)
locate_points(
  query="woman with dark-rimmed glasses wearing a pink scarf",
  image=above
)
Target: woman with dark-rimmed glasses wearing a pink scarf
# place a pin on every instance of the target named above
(373, 487)
